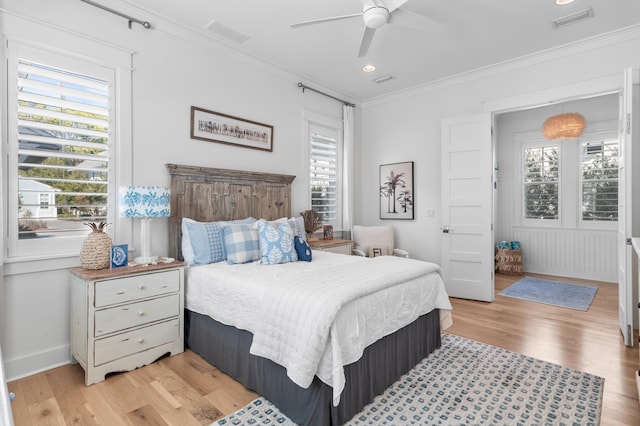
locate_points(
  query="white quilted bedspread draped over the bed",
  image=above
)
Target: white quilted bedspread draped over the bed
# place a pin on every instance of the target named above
(315, 317)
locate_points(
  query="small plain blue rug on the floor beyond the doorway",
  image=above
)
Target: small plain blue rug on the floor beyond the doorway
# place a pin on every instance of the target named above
(554, 293)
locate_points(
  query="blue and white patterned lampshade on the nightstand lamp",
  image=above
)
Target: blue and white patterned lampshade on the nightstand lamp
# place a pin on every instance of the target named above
(144, 201)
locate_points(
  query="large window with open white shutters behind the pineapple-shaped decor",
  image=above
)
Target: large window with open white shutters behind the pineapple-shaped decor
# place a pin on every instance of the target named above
(60, 116)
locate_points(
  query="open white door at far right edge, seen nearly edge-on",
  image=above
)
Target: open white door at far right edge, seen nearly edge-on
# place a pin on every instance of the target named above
(626, 195)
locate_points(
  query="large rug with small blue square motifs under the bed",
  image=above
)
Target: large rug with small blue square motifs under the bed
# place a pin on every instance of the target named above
(468, 382)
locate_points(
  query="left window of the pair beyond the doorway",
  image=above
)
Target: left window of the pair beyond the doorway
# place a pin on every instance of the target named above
(541, 182)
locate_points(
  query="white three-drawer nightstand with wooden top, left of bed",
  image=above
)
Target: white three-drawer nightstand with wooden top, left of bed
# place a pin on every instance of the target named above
(127, 317)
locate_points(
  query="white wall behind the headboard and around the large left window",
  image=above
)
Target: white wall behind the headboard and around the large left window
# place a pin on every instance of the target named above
(169, 75)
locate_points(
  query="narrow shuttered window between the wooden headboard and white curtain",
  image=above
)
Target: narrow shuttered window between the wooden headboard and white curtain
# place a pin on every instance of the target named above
(325, 147)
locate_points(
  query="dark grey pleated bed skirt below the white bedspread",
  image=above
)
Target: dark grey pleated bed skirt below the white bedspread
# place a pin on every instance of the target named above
(381, 364)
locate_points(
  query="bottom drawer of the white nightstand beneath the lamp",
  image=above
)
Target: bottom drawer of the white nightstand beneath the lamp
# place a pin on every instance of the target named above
(135, 341)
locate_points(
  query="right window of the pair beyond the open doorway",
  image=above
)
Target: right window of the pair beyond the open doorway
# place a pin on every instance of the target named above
(599, 180)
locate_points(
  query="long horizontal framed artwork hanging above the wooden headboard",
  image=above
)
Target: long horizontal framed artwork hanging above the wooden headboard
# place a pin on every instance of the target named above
(213, 126)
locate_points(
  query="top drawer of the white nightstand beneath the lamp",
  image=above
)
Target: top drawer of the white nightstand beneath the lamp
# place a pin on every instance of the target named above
(126, 289)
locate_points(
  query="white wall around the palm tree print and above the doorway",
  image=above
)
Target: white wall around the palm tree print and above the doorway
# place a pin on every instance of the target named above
(406, 126)
